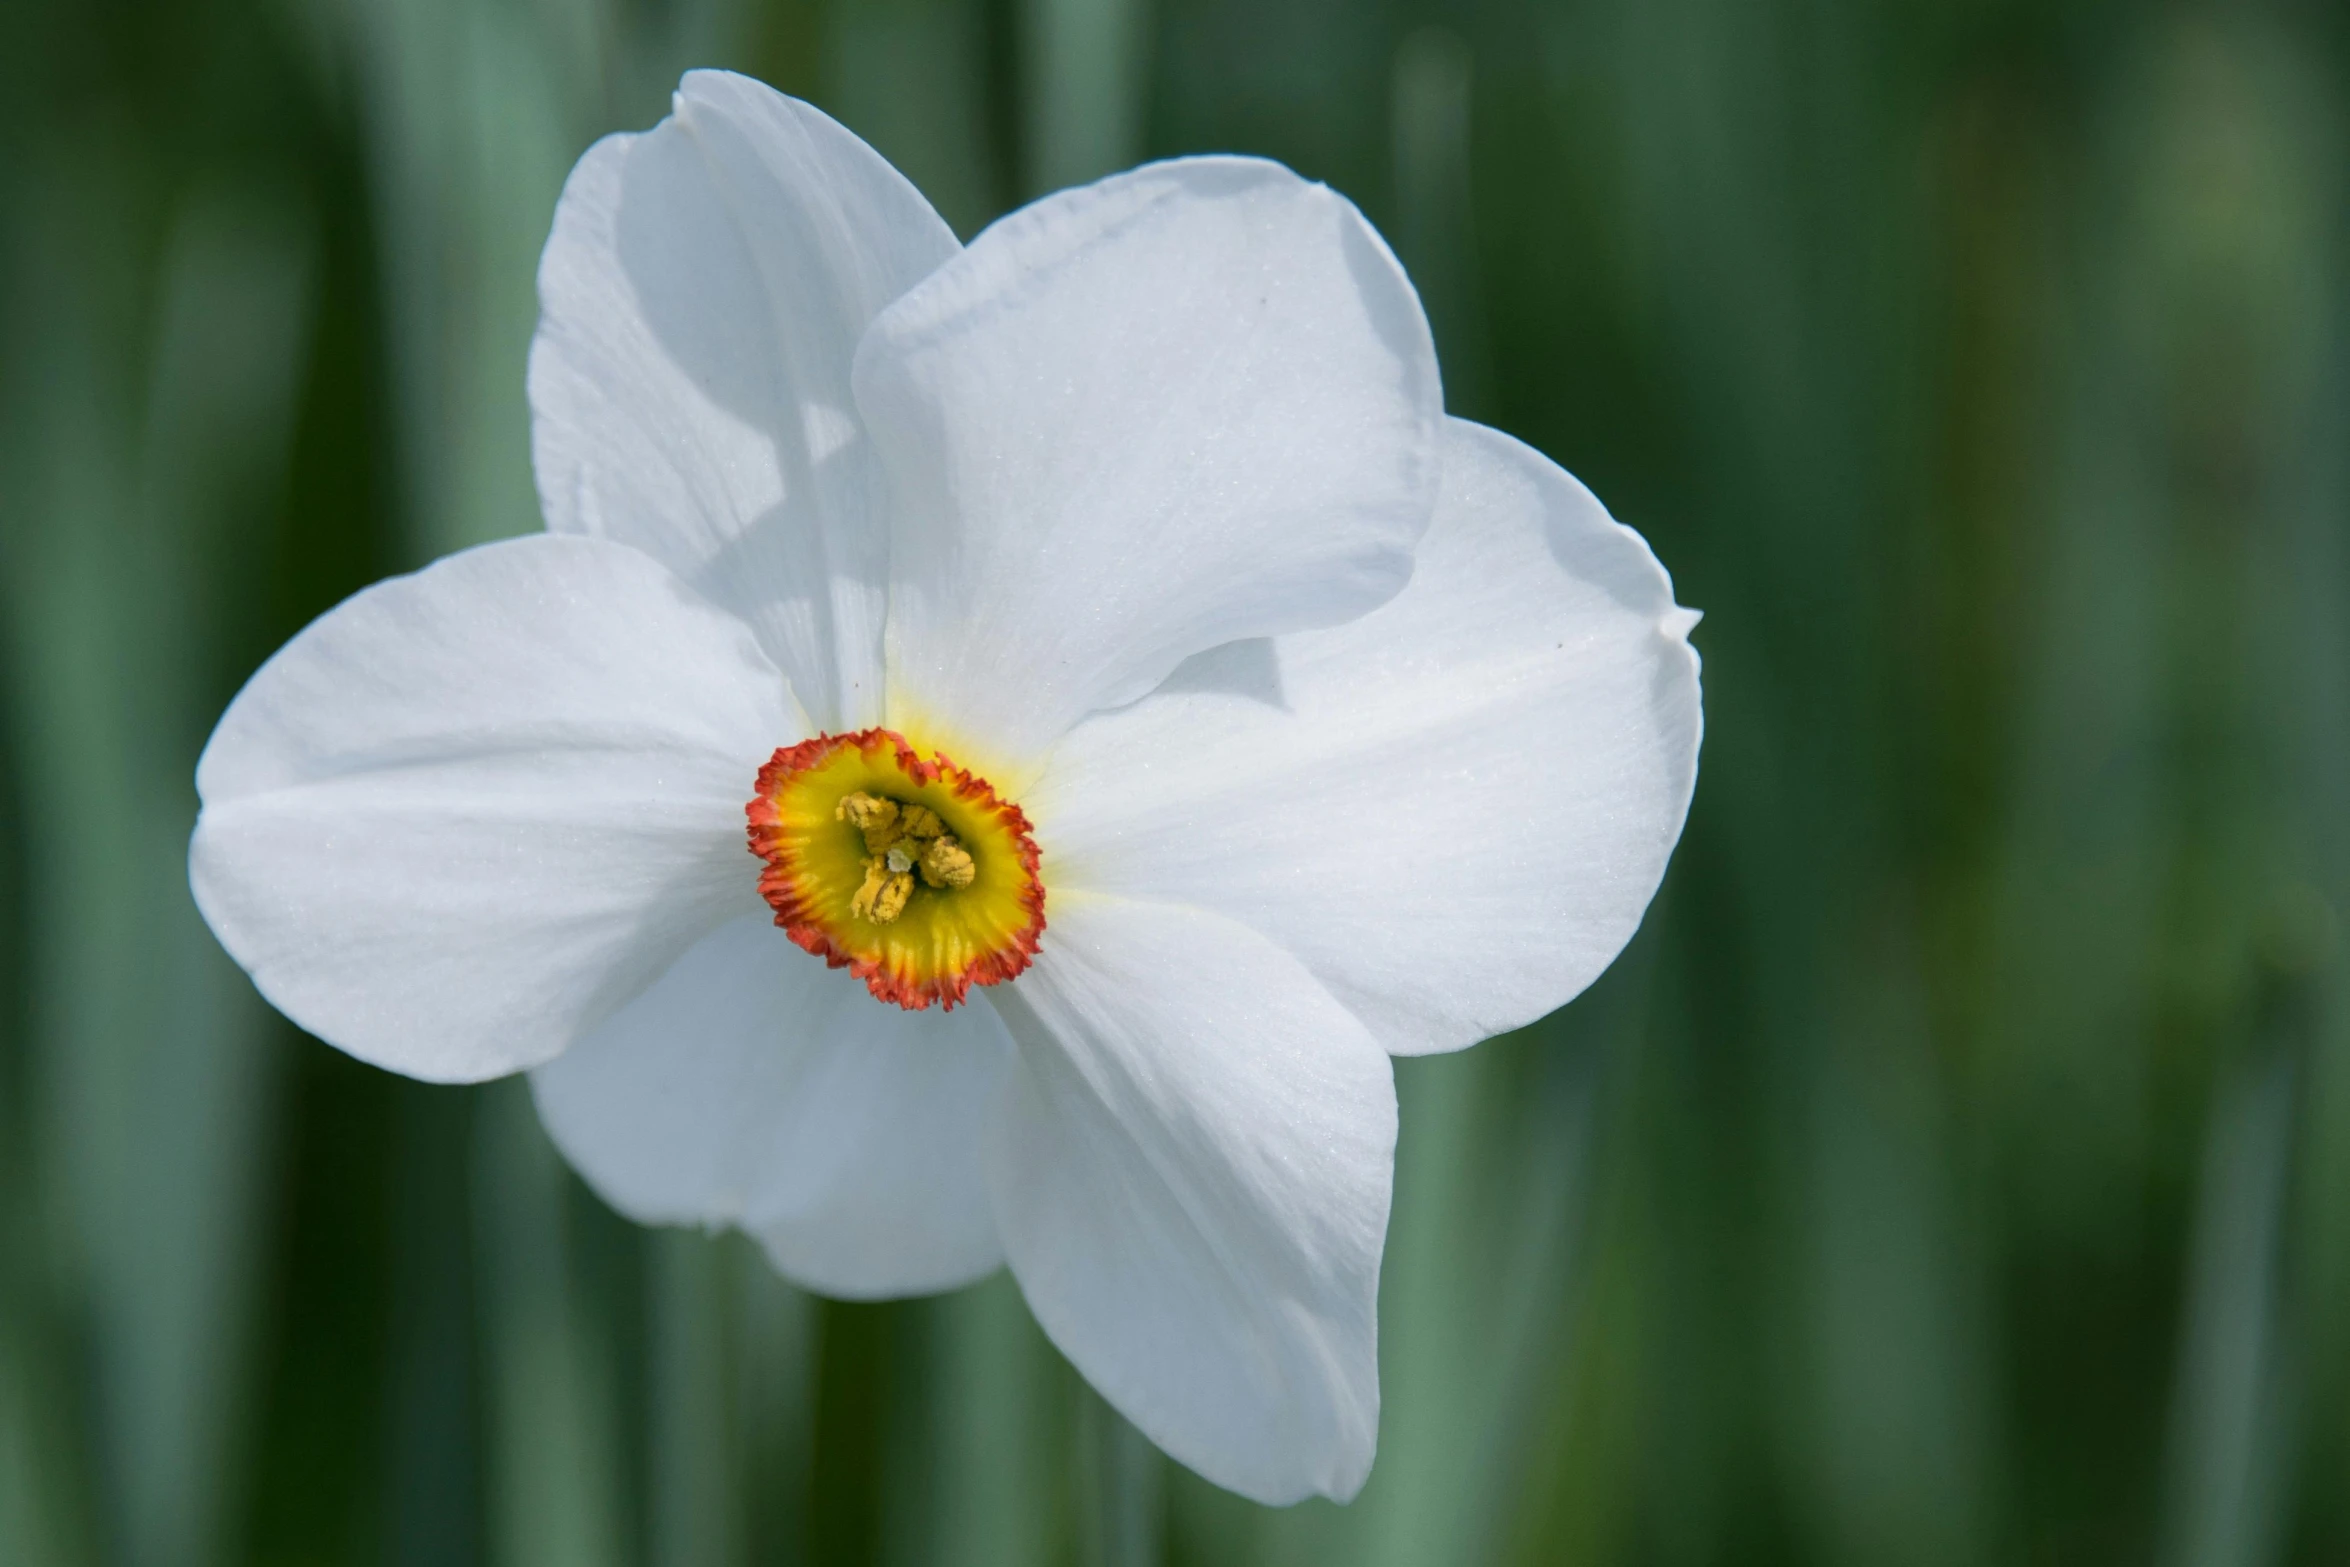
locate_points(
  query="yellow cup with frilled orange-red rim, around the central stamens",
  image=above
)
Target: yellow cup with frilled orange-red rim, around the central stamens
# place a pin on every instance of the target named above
(948, 939)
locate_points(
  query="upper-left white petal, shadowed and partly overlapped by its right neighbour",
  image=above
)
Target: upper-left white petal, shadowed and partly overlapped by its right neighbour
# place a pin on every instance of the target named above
(704, 295)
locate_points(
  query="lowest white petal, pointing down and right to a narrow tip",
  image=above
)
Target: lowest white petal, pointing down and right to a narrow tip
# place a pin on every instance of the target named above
(1193, 1183)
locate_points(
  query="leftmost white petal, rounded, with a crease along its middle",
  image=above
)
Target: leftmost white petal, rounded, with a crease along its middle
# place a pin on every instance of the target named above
(471, 812)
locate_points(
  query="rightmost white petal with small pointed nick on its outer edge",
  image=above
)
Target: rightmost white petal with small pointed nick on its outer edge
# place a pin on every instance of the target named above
(1453, 809)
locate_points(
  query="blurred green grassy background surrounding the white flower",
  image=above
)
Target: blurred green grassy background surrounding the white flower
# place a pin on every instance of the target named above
(1954, 1171)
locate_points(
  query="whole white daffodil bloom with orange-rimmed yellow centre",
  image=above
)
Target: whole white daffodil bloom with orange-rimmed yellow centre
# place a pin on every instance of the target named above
(1273, 725)
